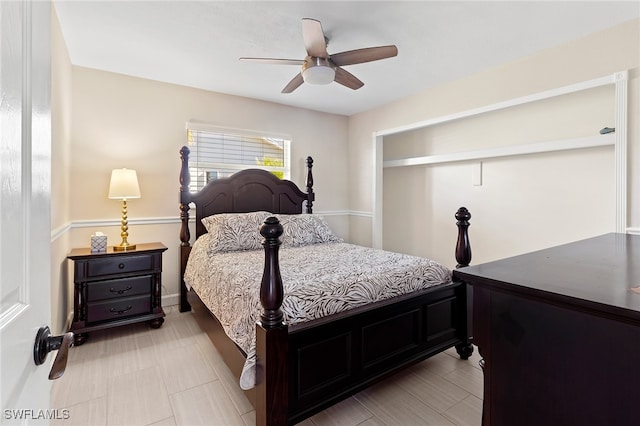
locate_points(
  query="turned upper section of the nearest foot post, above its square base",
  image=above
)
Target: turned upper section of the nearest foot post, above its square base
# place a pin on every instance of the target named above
(271, 290)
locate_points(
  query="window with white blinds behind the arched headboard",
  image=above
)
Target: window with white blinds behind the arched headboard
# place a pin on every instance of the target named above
(218, 153)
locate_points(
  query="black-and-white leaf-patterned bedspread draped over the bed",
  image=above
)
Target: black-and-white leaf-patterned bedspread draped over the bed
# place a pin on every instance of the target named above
(319, 280)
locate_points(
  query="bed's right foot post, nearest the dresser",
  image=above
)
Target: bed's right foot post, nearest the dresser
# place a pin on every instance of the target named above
(463, 257)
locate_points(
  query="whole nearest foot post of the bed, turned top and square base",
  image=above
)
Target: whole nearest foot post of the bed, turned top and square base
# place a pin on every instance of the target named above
(272, 393)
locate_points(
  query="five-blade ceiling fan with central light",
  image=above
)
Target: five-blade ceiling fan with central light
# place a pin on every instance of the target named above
(321, 68)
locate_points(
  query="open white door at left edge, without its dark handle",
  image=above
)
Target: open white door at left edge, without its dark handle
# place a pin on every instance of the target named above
(25, 229)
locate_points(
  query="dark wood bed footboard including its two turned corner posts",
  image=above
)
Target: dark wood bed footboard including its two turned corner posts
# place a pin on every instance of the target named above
(295, 378)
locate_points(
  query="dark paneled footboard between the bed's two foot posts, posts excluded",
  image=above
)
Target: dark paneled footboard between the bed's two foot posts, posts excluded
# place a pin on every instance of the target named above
(331, 362)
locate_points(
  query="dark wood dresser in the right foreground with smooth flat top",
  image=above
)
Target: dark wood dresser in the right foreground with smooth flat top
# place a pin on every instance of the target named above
(559, 333)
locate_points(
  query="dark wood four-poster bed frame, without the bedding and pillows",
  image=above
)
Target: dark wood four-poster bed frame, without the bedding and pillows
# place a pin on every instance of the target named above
(304, 368)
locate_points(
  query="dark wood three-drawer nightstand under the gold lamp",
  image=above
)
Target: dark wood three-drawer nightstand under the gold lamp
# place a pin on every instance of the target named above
(115, 288)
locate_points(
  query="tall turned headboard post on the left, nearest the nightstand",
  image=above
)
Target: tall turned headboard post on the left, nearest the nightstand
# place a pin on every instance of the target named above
(185, 236)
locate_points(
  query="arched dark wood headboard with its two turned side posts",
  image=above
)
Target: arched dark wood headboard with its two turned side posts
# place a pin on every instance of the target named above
(245, 191)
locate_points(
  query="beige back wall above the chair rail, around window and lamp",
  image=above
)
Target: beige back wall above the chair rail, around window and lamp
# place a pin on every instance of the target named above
(121, 121)
